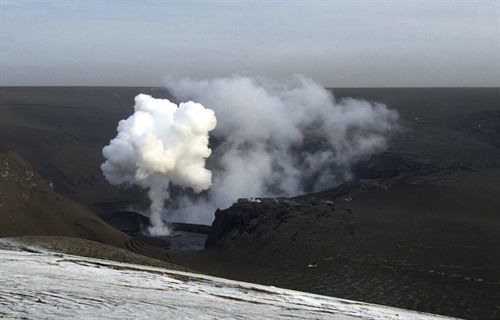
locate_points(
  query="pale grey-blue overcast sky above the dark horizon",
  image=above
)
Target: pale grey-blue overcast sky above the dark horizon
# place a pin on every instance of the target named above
(338, 43)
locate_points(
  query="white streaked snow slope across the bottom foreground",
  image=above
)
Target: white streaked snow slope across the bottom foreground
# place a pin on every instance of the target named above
(47, 285)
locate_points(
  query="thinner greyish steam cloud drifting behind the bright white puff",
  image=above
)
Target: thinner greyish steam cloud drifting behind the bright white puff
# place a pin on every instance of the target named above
(278, 139)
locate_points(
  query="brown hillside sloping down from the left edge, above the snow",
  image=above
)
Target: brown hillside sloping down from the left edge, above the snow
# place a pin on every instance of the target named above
(29, 206)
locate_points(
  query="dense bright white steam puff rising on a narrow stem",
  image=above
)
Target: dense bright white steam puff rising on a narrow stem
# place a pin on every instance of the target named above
(161, 143)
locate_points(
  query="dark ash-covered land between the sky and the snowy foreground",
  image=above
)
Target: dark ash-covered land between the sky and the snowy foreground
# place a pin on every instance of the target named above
(417, 228)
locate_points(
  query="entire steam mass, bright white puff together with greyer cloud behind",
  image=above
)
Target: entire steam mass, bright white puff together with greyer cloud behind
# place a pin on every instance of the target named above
(271, 139)
